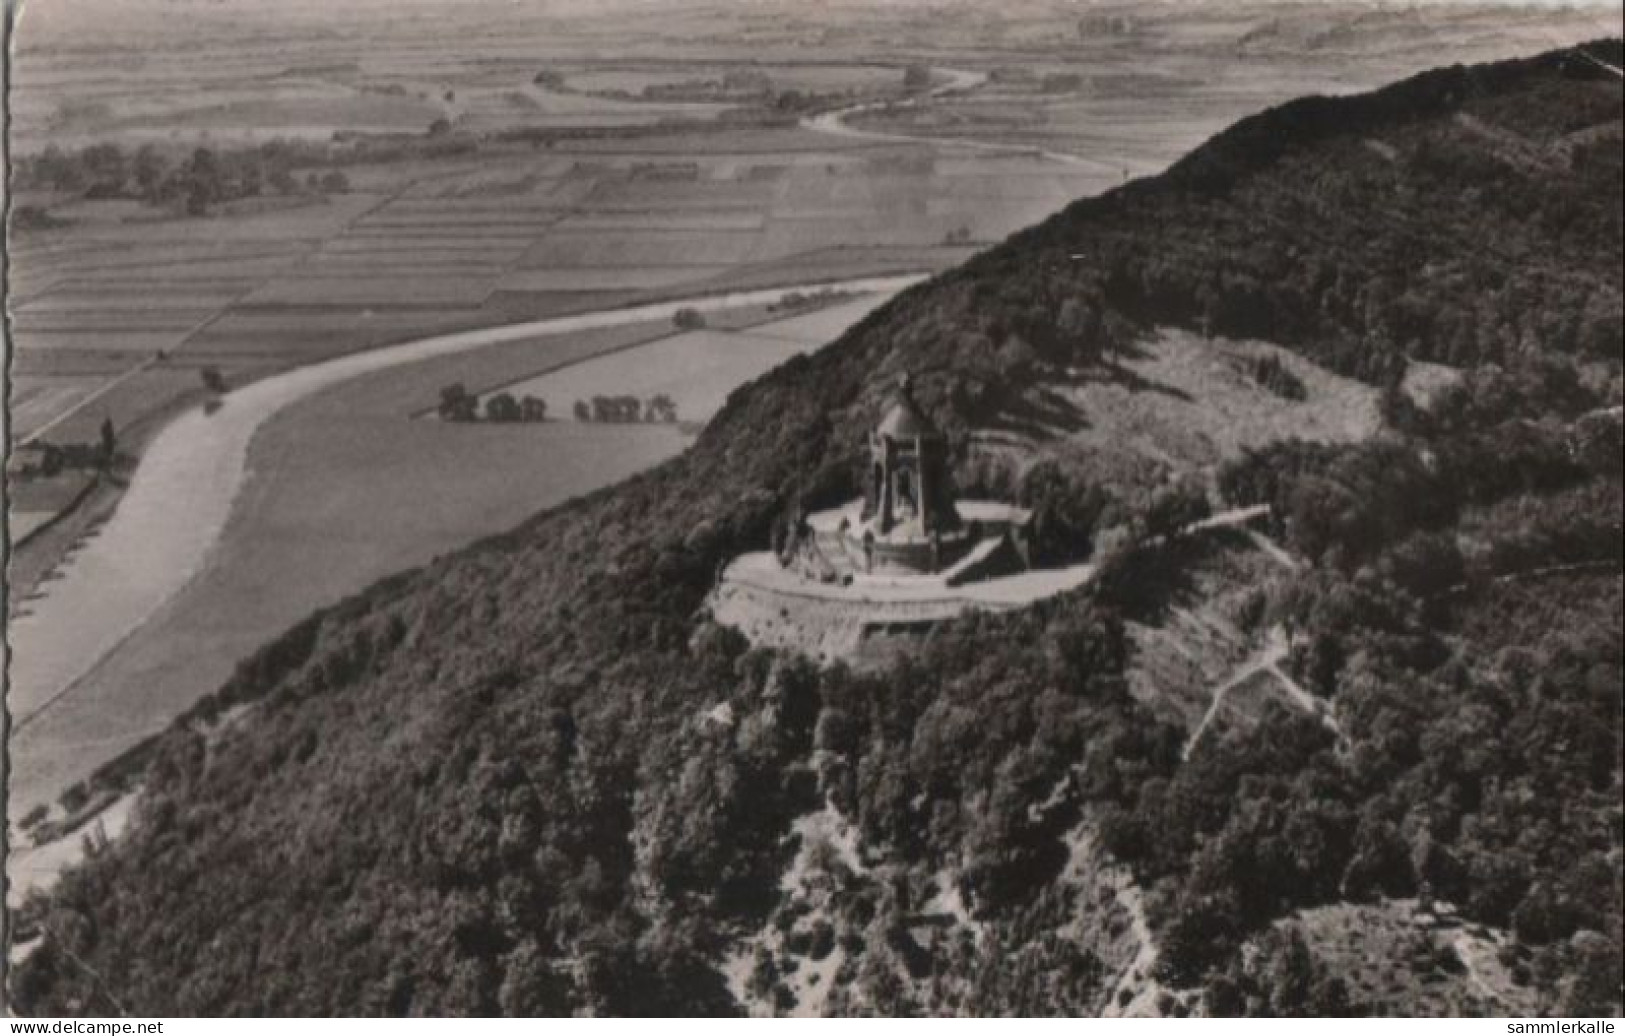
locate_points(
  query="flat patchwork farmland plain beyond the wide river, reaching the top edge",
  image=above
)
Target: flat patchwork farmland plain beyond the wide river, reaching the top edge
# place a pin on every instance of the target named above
(639, 209)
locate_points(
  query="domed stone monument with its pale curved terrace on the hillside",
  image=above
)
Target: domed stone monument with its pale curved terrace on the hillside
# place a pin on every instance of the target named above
(891, 564)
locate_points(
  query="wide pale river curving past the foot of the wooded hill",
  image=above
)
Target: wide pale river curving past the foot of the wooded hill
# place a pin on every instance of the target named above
(184, 488)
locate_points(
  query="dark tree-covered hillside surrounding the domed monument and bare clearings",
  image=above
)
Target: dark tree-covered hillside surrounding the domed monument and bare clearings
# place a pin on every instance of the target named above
(506, 782)
